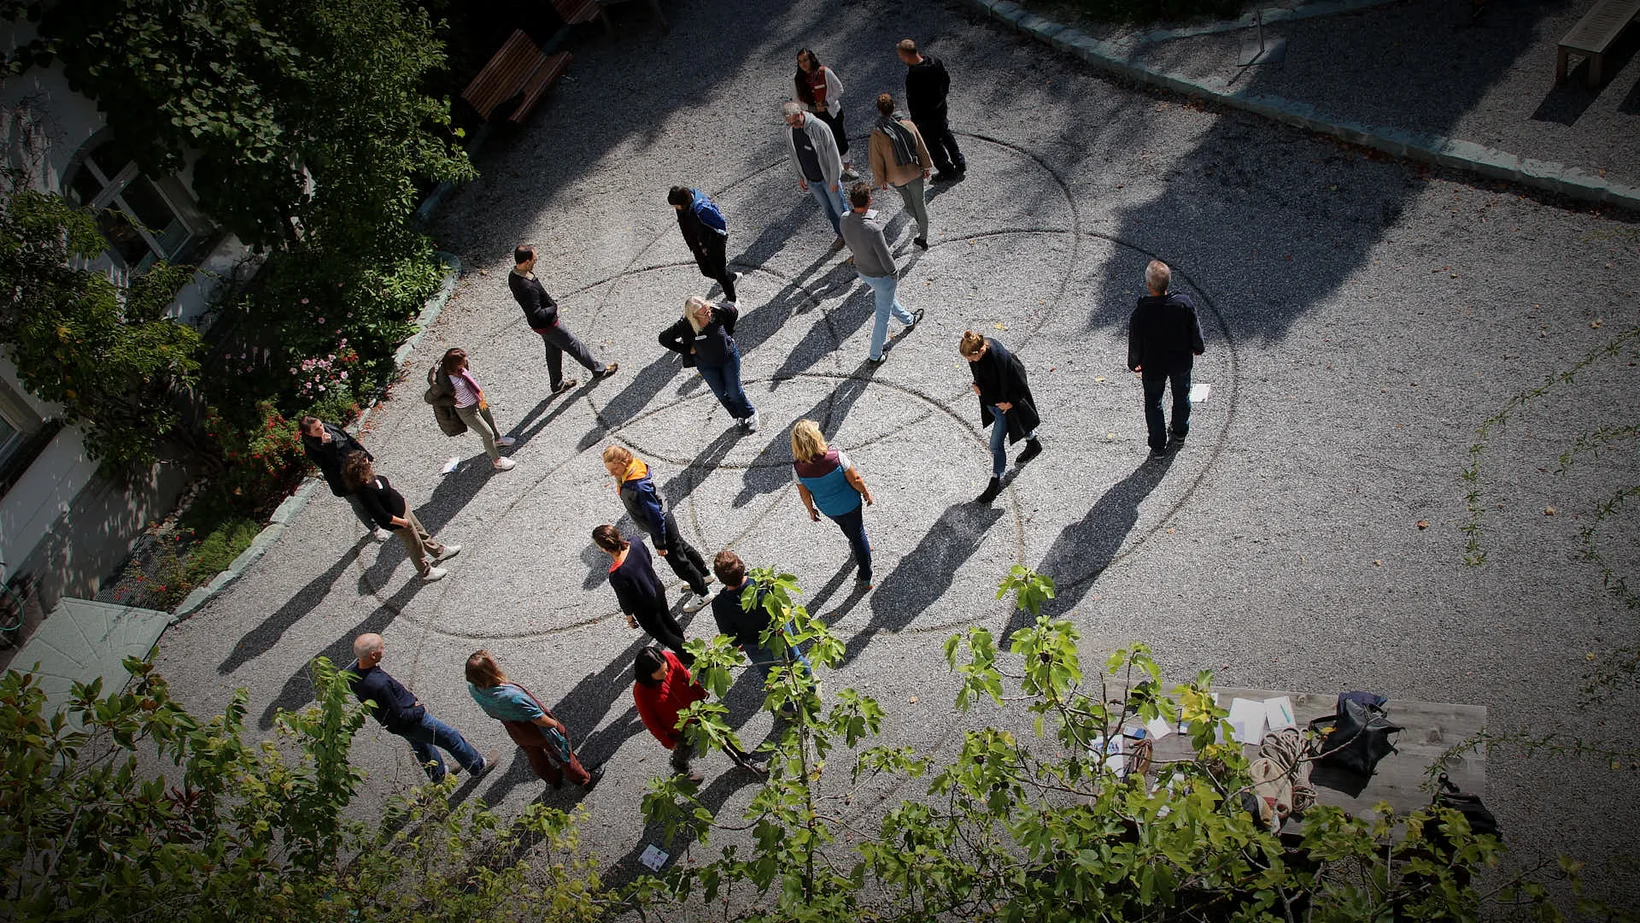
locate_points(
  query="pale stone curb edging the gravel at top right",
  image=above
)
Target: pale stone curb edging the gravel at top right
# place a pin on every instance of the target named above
(1549, 176)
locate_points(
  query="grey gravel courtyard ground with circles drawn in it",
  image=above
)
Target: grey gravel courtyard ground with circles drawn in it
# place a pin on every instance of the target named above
(1362, 319)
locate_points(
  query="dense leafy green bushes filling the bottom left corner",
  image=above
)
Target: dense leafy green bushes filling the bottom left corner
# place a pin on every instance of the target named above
(235, 830)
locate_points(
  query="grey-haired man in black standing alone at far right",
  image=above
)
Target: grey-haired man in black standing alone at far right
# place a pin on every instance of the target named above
(1164, 340)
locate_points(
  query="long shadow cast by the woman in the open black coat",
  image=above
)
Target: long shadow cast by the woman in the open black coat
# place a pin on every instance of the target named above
(927, 571)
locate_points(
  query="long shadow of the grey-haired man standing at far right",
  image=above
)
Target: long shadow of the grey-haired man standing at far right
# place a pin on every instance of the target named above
(1088, 547)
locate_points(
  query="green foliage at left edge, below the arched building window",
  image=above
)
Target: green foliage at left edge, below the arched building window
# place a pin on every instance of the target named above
(109, 357)
